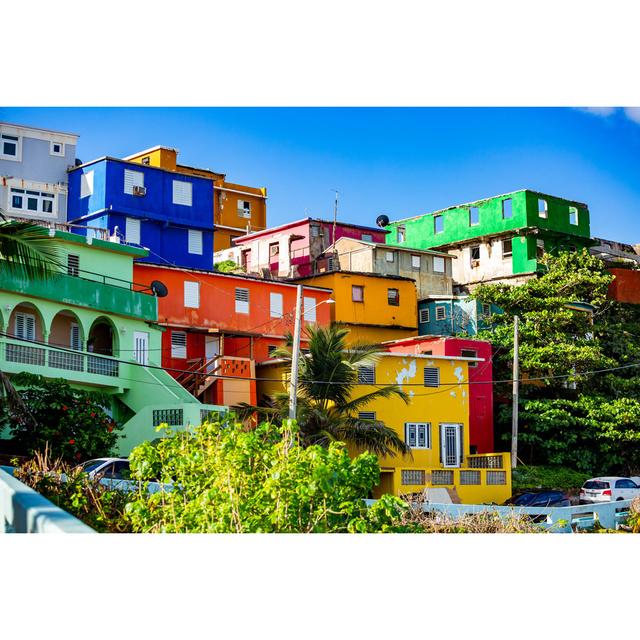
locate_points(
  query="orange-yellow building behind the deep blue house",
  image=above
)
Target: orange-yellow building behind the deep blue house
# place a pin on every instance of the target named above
(238, 209)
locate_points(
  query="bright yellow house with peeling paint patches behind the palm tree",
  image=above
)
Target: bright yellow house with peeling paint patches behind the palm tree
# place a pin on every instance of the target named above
(435, 424)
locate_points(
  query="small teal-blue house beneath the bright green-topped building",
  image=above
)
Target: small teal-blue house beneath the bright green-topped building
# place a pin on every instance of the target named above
(454, 315)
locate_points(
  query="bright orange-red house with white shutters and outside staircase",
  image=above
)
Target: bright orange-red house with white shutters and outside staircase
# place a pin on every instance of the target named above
(218, 325)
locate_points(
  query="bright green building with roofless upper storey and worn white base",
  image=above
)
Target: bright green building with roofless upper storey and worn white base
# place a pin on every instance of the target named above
(500, 238)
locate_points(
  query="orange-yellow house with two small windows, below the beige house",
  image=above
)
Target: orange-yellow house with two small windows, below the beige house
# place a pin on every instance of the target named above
(375, 308)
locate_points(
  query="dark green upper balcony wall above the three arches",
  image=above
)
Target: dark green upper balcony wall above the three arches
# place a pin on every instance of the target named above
(89, 290)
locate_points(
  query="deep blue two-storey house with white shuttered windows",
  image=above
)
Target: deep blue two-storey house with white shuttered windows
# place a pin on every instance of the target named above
(168, 213)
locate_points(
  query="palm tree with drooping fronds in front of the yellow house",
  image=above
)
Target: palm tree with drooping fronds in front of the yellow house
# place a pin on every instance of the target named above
(327, 379)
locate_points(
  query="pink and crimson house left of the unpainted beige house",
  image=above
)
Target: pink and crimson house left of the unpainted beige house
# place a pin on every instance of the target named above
(294, 249)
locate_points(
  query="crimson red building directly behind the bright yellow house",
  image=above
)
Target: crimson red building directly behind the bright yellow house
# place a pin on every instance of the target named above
(480, 379)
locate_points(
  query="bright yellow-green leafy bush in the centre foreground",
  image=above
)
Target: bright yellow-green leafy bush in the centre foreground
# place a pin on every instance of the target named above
(230, 479)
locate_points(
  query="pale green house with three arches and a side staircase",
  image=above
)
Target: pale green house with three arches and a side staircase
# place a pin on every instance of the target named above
(95, 328)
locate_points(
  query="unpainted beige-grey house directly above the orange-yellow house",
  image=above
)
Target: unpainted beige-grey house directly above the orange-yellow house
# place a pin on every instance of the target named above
(431, 270)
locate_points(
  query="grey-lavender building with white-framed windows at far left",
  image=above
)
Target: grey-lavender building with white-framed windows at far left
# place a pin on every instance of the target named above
(33, 172)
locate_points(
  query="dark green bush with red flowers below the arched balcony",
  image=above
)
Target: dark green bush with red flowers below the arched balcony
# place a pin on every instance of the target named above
(70, 422)
